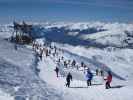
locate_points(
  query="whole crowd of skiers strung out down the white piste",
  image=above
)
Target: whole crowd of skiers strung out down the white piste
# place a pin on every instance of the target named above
(89, 75)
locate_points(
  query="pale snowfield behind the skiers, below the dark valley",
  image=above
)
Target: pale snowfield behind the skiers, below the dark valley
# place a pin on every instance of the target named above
(111, 57)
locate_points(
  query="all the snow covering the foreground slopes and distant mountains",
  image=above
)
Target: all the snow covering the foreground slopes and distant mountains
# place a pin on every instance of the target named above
(18, 68)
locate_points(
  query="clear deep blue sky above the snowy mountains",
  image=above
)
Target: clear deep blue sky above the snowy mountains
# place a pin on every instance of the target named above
(66, 10)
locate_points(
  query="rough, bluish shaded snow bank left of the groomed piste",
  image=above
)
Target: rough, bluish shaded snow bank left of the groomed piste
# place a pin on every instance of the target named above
(18, 75)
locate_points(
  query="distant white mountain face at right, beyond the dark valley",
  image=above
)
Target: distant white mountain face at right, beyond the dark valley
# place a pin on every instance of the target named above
(116, 34)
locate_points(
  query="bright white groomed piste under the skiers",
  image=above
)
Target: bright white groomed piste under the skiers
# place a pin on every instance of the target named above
(79, 91)
